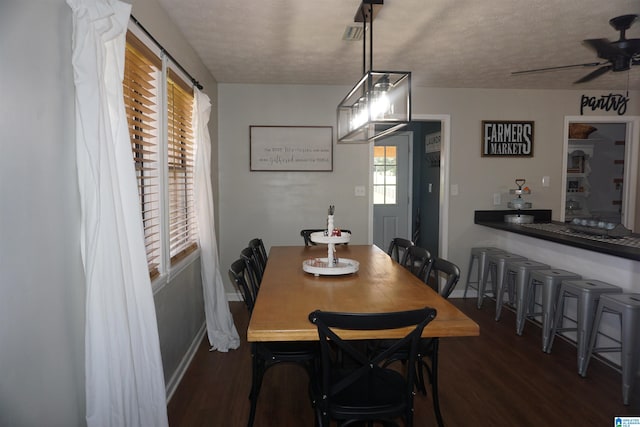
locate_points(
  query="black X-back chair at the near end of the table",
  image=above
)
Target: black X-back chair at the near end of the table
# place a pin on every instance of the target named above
(357, 386)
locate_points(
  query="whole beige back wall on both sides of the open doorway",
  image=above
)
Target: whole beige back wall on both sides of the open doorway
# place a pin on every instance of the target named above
(275, 205)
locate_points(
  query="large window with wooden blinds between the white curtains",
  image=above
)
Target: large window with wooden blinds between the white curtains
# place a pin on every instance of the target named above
(163, 150)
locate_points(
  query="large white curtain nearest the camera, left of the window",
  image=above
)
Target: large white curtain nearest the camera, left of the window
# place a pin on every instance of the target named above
(123, 372)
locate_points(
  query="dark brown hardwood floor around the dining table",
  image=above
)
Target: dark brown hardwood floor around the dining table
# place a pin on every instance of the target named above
(496, 379)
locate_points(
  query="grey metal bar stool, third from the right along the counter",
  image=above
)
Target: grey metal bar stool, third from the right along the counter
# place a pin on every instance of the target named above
(550, 281)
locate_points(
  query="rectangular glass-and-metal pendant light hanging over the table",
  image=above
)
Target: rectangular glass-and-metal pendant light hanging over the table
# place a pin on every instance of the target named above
(380, 103)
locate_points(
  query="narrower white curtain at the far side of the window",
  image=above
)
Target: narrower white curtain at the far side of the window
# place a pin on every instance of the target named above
(221, 331)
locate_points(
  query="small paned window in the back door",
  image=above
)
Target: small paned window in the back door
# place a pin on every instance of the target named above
(384, 175)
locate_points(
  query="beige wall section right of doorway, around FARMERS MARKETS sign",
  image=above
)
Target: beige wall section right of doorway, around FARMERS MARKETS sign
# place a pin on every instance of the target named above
(477, 177)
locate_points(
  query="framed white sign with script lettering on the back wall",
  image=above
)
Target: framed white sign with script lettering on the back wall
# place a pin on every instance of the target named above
(291, 148)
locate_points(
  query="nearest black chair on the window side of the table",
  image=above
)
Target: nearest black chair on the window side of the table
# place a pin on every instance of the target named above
(264, 355)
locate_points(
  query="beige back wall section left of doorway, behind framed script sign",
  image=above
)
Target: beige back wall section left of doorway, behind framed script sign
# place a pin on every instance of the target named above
(275, 206)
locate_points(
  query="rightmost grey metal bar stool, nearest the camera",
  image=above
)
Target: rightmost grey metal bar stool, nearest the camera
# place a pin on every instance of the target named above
(627, 307)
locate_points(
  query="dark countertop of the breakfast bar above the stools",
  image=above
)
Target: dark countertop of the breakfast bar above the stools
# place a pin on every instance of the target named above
(495, 219)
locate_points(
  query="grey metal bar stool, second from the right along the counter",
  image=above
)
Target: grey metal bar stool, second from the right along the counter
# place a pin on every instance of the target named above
(587, 294)
